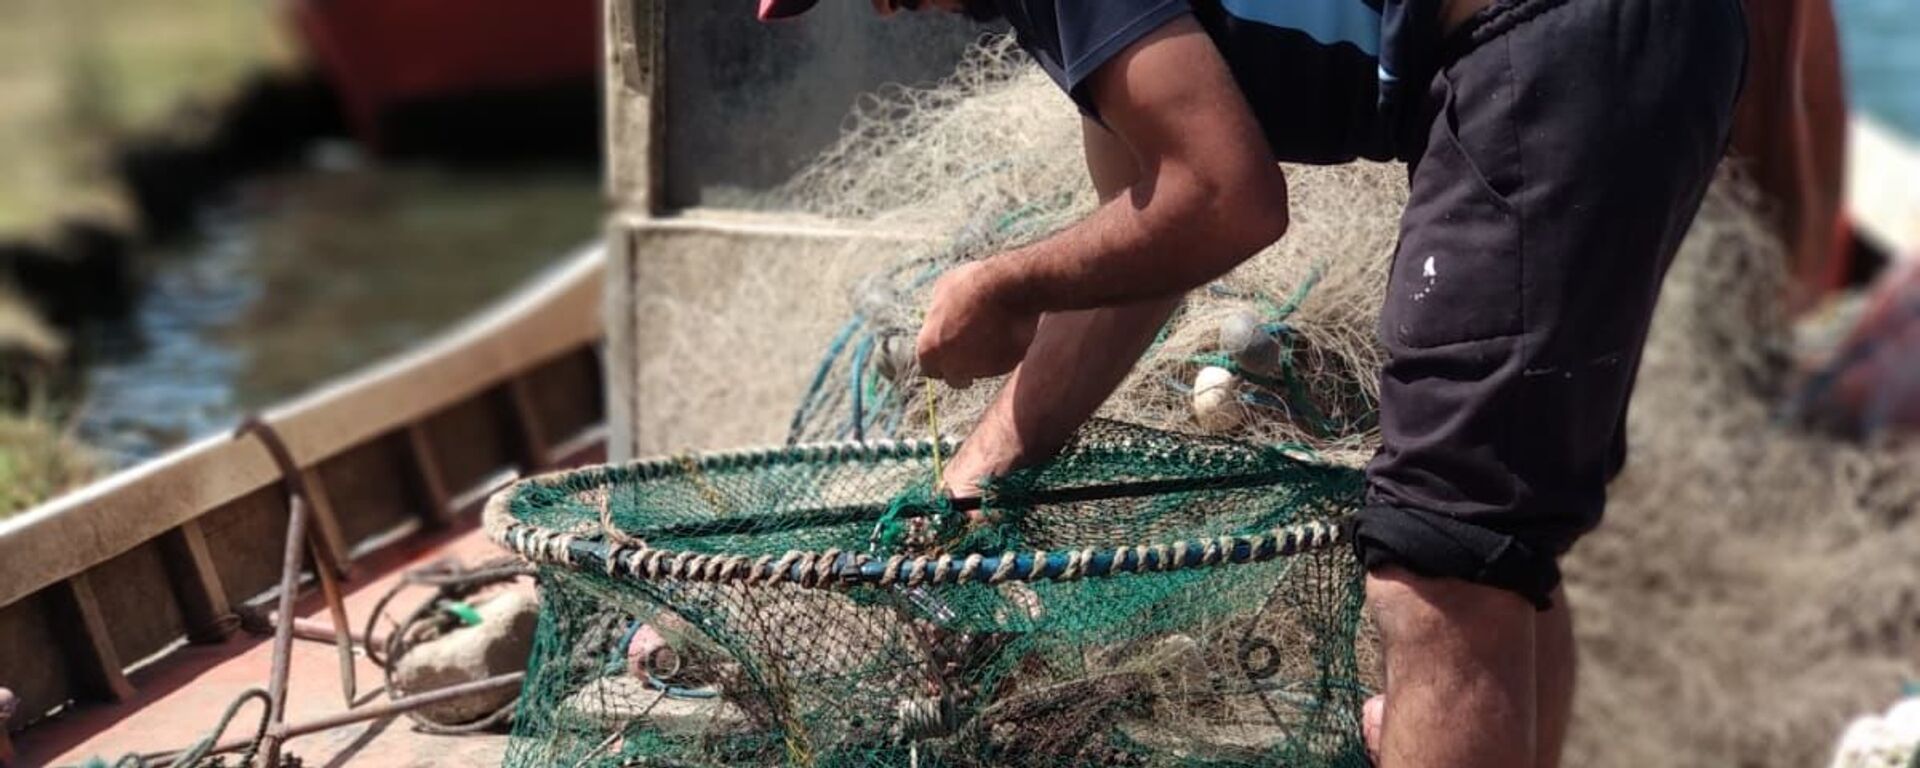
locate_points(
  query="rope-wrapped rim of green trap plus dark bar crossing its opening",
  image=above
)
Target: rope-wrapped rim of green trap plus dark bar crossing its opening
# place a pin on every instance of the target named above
(825, 569)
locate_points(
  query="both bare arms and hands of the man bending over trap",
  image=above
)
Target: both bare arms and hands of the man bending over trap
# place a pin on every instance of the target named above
(1189, 191)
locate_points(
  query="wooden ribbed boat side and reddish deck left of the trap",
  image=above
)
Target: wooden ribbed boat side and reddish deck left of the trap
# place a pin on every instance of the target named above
(118, 602)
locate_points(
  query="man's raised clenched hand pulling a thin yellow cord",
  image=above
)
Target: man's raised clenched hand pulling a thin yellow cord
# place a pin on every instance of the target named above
(971, 333)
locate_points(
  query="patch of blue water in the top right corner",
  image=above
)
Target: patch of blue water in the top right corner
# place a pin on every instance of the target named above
(1881, 45)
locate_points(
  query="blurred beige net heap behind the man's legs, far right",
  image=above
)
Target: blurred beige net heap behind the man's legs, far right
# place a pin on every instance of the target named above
(1754, 587)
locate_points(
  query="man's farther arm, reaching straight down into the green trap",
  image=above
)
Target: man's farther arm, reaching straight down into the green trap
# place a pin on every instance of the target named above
(1076, 358)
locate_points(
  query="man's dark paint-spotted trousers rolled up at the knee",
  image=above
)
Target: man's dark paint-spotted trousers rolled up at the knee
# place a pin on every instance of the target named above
(1570, 147)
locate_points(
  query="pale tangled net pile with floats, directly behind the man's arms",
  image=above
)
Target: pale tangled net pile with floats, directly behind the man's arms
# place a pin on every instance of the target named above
(994, 156)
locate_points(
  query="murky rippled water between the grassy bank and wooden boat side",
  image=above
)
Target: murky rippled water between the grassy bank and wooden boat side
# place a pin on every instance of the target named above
(314, 276)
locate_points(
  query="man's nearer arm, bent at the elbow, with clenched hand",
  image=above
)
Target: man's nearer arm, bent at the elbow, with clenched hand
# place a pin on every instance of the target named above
(1209, 195)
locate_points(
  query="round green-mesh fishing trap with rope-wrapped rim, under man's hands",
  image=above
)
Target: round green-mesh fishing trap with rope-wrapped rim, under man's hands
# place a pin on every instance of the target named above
(1145, 600)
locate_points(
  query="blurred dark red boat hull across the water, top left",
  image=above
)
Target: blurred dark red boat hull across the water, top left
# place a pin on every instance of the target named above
(385, 53)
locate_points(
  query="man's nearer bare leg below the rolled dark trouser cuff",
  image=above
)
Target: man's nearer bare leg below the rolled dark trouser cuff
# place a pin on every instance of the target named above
(1460, 673)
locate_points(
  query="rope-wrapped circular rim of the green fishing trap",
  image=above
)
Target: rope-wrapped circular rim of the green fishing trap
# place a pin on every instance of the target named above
(842, 569)
